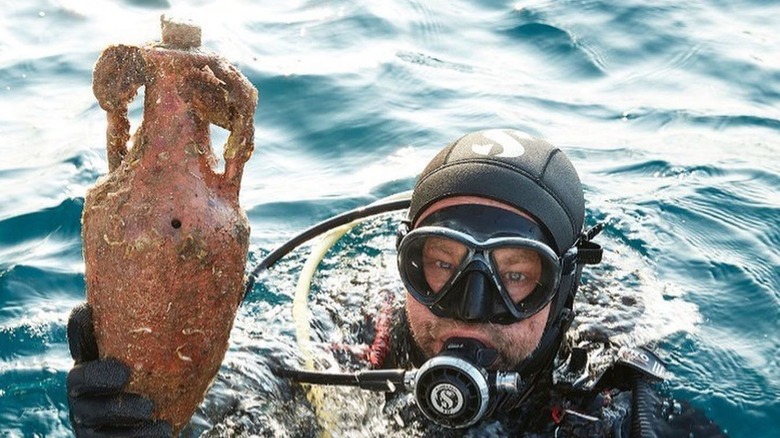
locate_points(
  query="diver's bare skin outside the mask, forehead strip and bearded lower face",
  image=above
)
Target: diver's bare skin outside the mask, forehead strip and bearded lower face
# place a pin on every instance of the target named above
(514, 342)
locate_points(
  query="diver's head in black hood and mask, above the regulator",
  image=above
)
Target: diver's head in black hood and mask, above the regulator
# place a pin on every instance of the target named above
(486, 254)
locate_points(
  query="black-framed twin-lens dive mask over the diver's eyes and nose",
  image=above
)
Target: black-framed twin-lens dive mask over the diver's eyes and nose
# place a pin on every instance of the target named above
(480, 263)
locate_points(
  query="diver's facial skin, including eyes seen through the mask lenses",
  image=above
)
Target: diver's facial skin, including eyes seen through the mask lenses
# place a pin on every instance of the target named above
(439, 257)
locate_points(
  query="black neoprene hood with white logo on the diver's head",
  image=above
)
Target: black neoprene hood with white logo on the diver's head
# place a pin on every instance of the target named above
(511, 167)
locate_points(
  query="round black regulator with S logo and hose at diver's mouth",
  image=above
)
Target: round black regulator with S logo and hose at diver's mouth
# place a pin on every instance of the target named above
(453, 389)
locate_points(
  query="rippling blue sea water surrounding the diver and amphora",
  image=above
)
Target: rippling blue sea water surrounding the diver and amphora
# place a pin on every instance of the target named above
(670, 111)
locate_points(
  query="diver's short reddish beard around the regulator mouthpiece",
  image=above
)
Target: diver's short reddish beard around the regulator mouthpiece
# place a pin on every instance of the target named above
(511, 351)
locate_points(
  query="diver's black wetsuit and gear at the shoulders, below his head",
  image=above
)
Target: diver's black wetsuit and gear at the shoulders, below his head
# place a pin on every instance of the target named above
(559, 410)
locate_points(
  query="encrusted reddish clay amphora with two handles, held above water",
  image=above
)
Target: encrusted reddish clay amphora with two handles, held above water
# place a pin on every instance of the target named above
(165, 240)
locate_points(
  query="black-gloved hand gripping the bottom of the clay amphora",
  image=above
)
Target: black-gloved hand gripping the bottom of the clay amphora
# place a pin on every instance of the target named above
(98, 406)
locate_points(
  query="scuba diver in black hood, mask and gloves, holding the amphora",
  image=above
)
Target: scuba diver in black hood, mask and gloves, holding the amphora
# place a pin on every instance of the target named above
(491, 255)
